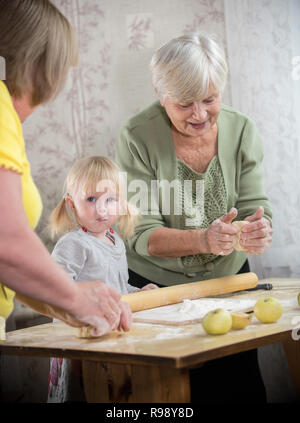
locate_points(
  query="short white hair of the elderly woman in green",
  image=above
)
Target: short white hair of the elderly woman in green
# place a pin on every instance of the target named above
(183, 68)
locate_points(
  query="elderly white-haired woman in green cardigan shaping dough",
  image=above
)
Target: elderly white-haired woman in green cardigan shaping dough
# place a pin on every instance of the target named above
(211, 157)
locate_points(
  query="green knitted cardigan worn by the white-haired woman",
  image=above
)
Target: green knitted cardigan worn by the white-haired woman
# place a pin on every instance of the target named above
(145, 150)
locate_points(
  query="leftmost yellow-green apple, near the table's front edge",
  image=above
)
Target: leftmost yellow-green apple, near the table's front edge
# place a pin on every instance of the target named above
(217, 322)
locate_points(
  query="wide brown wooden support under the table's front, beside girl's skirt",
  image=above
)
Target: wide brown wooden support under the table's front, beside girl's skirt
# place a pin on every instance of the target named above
(132, 383)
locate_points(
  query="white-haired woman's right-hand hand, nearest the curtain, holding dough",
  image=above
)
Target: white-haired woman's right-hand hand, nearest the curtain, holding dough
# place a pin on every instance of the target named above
(256, 237)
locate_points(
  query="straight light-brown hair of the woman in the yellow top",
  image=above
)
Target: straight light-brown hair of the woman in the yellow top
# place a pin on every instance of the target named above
(38, 45)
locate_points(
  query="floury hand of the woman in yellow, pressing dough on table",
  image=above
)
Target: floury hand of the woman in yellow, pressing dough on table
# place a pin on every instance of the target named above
(99, 305)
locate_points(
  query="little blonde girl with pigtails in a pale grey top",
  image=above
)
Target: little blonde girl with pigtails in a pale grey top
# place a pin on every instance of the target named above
(94, 218)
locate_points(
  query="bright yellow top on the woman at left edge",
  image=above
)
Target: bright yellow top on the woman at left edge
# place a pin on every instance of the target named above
(13, 156)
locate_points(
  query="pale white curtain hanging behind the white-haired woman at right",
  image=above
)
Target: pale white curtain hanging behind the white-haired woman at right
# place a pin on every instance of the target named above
(263, 45)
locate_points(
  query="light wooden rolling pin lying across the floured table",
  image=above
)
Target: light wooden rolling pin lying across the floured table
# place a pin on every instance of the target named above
(143, 300)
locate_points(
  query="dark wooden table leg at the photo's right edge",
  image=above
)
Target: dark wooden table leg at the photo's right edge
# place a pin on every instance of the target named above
(292, 352)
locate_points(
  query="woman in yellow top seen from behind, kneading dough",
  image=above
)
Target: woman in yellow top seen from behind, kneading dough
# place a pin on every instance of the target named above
(38, 46)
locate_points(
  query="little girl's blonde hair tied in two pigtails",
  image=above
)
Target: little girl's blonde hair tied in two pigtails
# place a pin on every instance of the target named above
(88, 174)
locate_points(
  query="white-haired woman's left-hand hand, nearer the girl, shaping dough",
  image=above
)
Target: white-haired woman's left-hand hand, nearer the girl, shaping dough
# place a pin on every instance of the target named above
(220, 234)
